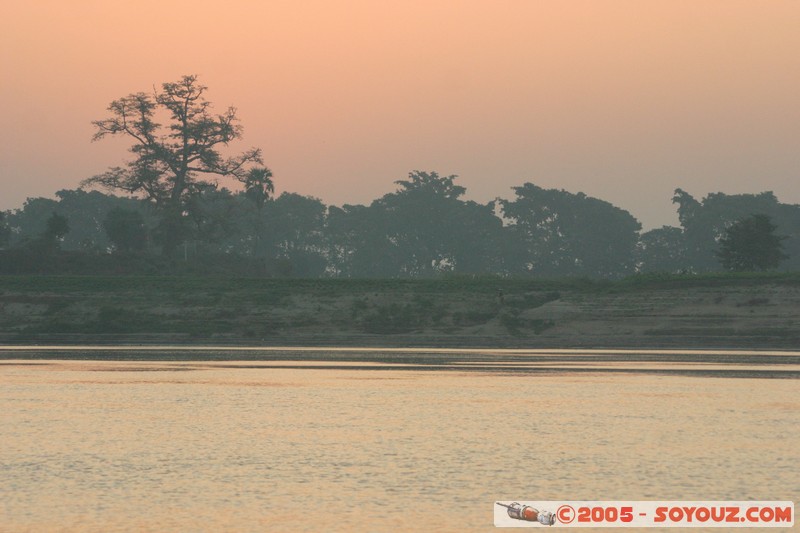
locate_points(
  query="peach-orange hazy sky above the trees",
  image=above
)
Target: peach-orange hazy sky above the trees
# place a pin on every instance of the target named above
(624, 100)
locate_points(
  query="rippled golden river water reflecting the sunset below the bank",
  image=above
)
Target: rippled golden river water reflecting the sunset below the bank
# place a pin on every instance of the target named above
(383, 442)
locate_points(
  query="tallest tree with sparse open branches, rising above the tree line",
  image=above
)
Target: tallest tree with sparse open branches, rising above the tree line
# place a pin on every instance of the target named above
(174, 161)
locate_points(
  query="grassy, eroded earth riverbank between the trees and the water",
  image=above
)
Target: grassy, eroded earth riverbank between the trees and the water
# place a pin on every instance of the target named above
(715, 311)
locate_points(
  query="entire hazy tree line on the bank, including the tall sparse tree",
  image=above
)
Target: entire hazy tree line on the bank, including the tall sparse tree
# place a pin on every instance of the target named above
(175, 217)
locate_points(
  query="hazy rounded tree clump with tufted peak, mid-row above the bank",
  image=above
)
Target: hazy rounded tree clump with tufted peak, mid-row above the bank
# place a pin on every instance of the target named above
(422, 229)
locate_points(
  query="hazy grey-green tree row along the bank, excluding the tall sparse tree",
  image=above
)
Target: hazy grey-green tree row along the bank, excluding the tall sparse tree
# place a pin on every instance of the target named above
(423, 229)
